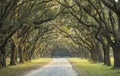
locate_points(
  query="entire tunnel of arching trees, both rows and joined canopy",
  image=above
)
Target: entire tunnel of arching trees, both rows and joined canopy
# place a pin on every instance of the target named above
(32, 28)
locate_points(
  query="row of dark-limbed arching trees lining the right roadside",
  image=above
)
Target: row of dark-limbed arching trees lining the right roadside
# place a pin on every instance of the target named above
(95, 23)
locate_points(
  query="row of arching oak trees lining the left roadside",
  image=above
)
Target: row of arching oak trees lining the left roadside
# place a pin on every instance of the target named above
(23, 28)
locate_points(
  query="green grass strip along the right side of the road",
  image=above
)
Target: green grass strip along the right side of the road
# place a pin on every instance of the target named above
(92, 69)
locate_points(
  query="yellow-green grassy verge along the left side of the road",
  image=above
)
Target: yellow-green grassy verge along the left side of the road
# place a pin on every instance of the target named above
(20, 69)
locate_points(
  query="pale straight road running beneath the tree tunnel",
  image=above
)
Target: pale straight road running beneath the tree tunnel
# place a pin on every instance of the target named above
(57, 67)
